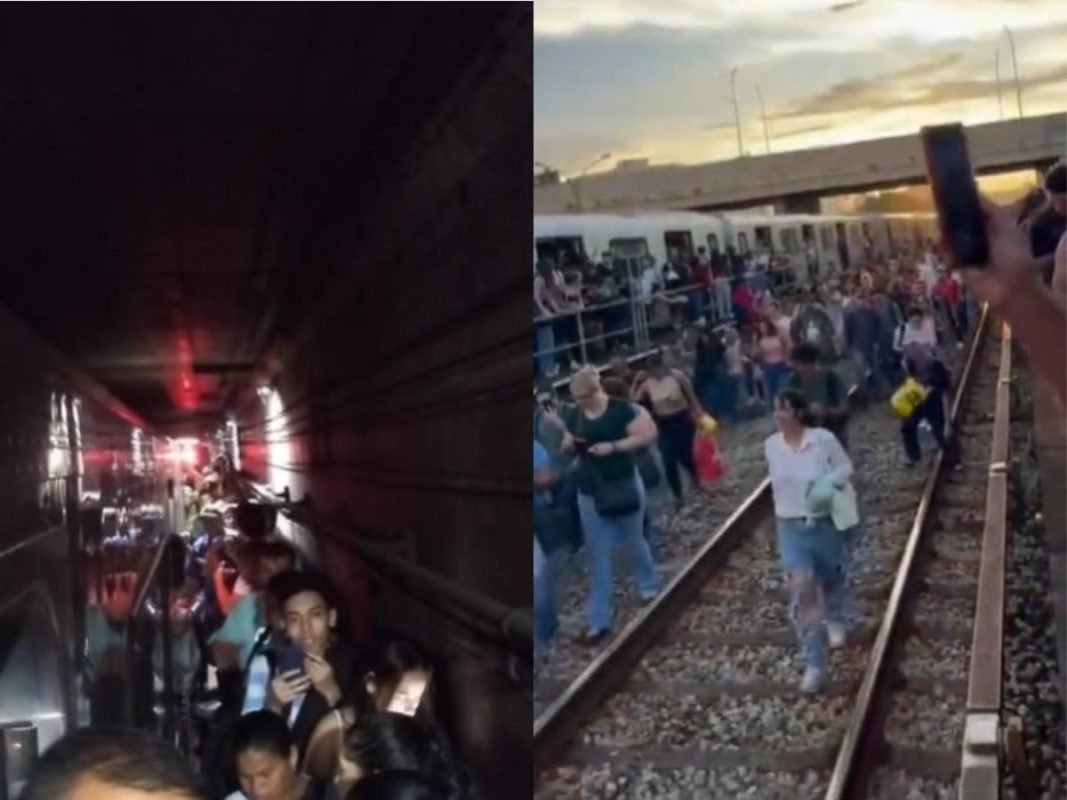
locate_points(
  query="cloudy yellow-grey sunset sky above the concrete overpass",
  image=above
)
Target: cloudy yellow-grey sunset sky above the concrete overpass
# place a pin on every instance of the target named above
(651, 78)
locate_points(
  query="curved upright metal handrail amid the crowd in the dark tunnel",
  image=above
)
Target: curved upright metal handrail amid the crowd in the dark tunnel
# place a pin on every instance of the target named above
(147, 583)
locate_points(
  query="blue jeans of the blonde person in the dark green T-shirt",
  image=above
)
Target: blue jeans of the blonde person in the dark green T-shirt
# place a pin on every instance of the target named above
(603, 536)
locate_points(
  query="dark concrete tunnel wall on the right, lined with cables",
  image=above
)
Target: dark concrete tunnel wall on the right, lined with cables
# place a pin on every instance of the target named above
(412, 382)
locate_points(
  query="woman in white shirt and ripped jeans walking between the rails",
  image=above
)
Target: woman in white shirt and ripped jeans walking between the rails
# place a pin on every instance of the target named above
(807, 466)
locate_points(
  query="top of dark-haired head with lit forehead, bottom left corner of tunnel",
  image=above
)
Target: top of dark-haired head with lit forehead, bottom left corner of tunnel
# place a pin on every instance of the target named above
(113, 764)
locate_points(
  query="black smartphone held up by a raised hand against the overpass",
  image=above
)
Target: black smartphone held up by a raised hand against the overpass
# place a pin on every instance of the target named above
(960, 212)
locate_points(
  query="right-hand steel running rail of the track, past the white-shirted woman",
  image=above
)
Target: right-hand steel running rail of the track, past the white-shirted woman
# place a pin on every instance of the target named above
(859, 746)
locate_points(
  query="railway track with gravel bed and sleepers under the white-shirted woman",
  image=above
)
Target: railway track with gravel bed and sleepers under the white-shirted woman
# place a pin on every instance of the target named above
(698, 698)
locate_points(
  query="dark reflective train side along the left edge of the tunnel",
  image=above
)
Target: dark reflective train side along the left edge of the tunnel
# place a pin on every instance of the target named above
(50, 415)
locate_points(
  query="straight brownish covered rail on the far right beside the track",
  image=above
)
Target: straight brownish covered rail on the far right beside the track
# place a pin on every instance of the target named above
(981, 759)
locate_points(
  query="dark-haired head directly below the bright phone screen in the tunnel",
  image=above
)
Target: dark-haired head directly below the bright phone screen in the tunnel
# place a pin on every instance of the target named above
(379, 743)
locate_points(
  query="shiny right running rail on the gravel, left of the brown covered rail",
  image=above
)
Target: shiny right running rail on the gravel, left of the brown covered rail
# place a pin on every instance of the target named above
(846, 773)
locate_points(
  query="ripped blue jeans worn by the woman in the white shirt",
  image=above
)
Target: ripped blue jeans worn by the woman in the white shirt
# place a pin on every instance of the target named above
(815, 558)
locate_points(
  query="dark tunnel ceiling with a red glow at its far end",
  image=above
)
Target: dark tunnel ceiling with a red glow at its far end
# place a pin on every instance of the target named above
(169, 171)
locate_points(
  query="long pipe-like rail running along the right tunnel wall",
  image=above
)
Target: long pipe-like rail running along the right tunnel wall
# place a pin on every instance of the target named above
(515, 625)
